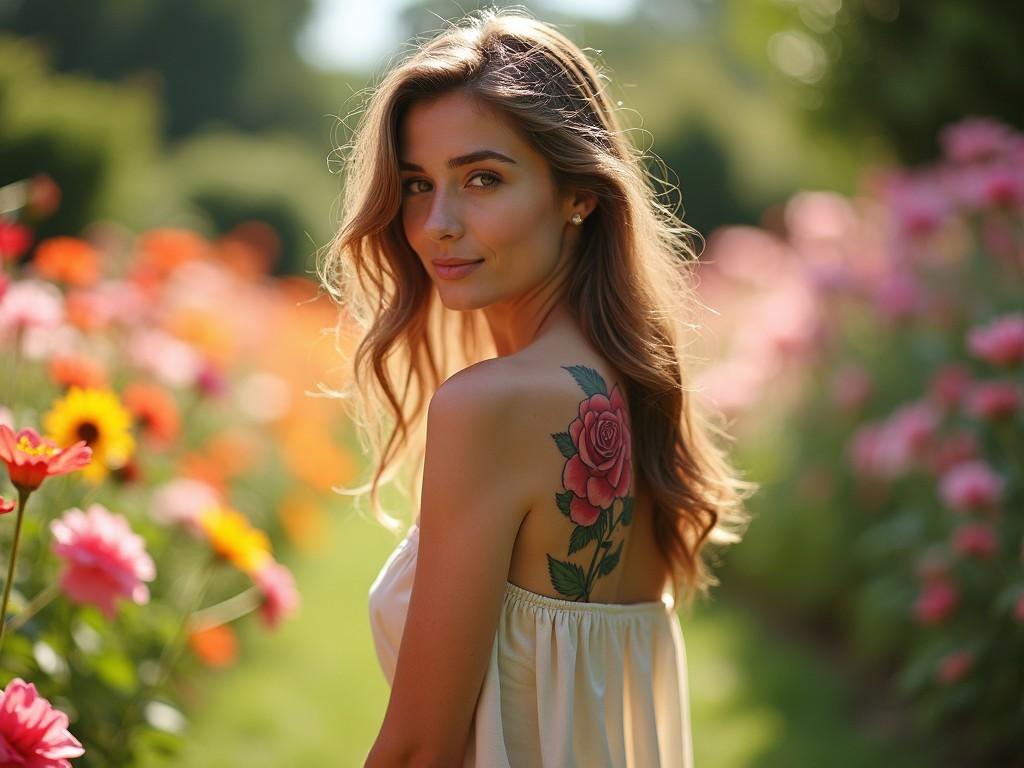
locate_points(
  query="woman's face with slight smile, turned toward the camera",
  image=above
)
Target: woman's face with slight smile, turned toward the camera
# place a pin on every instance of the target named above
(474, 191)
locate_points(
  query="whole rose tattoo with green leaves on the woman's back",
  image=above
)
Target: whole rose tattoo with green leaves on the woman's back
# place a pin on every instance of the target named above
(598, 474)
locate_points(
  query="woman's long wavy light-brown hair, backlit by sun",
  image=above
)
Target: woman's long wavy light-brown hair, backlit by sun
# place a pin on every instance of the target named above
(630, 289)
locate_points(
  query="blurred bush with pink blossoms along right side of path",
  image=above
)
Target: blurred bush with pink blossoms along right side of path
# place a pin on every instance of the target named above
(911, 402)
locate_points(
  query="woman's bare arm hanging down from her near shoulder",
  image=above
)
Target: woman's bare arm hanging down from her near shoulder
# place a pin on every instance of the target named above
(472, 507)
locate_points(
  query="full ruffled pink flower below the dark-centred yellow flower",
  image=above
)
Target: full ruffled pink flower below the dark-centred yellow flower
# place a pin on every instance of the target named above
(104, 560)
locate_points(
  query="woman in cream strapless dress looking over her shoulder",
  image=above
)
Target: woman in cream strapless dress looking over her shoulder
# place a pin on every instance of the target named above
(516, 277)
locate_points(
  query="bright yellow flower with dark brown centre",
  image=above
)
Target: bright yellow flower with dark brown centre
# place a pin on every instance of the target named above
(98, 417)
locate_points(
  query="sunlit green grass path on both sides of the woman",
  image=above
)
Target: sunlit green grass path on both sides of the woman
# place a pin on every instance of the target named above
(313, 694)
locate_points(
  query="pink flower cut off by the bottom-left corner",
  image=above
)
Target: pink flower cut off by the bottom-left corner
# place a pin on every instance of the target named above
(33, 735)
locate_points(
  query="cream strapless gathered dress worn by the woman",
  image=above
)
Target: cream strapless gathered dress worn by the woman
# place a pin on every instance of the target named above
(569, 684)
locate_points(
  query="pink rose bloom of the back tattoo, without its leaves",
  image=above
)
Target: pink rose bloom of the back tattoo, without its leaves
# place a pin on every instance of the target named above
(600, 473)
